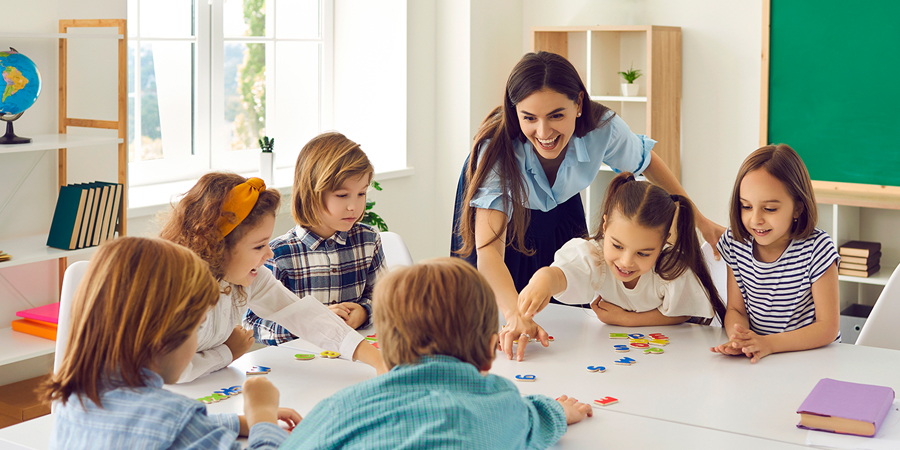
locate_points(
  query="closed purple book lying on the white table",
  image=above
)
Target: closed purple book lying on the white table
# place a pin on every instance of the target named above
(854, 401)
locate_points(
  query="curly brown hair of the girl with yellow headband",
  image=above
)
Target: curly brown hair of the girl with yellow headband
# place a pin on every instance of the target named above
(193, 221)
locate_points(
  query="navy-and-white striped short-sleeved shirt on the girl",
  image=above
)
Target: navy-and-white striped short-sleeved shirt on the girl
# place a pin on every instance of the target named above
(778, 295)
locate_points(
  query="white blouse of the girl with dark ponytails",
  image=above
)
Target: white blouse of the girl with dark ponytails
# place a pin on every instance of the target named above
(588, 276)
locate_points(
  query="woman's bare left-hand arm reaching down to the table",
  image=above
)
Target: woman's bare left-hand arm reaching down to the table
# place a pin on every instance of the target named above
(489, 223)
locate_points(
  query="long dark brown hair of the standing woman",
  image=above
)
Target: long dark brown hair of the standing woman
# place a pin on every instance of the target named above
(495, 137)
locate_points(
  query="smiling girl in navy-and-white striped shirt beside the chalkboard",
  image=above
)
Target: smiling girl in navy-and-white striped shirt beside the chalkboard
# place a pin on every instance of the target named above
(773, 243)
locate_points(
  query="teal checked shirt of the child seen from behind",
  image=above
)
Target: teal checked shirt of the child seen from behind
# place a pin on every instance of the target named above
(439, 403)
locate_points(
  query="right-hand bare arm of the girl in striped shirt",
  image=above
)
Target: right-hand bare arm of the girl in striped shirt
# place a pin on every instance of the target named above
(817, 334)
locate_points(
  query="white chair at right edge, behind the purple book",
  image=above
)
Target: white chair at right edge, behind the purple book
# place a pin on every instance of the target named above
(880, 329)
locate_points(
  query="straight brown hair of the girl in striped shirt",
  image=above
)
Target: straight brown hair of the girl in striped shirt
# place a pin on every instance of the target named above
(783, 163)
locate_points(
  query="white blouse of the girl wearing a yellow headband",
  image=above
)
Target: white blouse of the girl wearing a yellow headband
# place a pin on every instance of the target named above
(306, 317)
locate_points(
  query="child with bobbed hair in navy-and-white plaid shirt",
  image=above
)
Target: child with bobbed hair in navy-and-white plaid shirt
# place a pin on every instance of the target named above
(329, 255)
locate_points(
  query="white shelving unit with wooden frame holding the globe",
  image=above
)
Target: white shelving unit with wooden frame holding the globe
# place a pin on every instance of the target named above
(18, 347)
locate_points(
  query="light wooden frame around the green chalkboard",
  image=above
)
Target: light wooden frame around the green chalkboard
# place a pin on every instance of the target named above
(839, 193)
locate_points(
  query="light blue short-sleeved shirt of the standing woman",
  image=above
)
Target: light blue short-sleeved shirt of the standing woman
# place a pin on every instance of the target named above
(613, 144)
